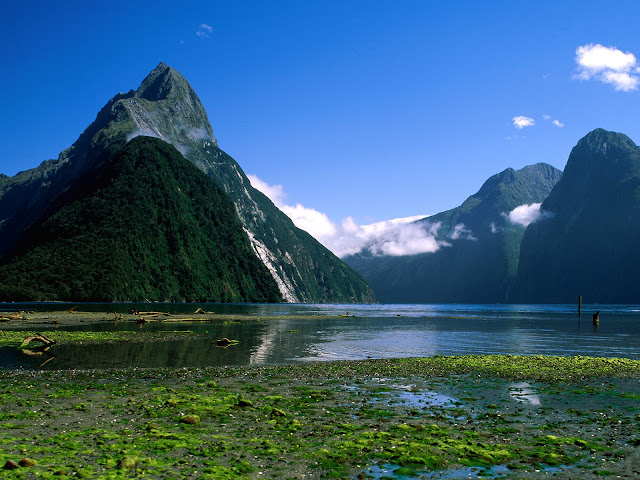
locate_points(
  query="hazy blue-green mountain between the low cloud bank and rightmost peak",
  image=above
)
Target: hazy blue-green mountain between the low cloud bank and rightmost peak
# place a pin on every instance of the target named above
(479, 246)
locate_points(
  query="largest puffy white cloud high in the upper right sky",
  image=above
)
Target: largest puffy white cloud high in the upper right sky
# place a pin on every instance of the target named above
(608, 65)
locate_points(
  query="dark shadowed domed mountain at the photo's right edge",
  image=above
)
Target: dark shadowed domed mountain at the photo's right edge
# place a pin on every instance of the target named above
(589, 244)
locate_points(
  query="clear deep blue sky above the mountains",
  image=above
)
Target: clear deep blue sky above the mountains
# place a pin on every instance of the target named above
(364, 109)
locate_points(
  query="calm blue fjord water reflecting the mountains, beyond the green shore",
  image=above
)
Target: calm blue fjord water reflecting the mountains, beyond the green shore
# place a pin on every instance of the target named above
(290, 333)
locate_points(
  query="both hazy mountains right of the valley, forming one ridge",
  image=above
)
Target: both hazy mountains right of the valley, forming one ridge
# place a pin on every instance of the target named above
(583, 239)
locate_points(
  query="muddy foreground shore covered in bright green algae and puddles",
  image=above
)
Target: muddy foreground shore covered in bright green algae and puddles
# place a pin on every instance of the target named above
(505, 416)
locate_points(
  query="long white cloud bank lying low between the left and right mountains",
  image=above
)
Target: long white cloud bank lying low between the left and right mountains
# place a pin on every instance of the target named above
(395, 237)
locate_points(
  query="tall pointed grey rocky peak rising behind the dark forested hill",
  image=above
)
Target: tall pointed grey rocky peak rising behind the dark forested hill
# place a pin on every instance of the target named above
(165, 106)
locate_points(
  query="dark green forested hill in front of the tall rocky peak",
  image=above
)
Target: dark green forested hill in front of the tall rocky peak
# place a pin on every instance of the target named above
(150, 226)
